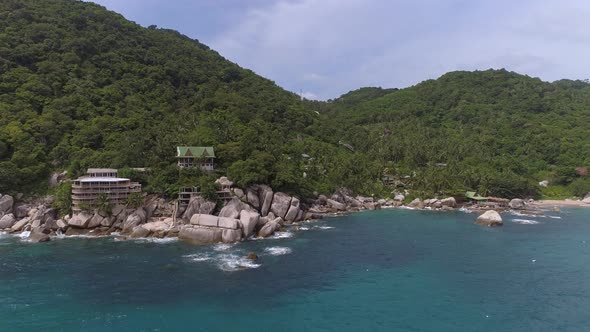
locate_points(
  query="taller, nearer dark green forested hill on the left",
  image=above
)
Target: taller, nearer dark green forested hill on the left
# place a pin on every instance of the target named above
(82, 87)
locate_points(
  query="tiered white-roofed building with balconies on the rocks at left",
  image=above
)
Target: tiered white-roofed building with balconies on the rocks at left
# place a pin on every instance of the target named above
(87, 189)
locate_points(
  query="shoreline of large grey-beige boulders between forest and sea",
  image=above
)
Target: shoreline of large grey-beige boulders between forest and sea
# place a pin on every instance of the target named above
(256, 211)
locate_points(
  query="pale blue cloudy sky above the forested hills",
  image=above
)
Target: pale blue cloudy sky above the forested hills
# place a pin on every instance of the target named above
(325, 48)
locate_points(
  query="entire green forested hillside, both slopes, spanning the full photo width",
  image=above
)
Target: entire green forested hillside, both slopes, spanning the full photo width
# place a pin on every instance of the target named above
(82, 87)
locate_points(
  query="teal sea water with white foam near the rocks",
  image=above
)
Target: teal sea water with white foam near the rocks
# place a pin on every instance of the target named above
(388, 270)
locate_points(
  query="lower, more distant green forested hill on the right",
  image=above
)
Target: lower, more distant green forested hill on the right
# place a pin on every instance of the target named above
(497, 131)
